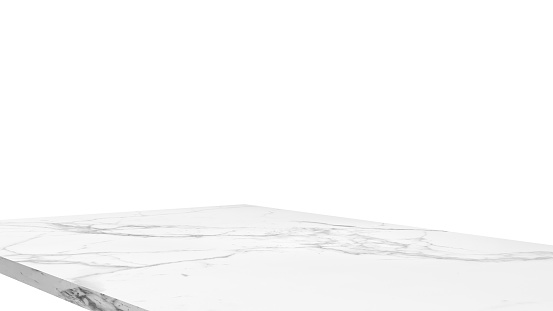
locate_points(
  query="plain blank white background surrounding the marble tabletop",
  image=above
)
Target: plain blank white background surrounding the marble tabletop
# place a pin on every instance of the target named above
(435, 114)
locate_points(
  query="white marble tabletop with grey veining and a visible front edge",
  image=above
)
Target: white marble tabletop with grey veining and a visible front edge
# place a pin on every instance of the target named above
(248, 258)
